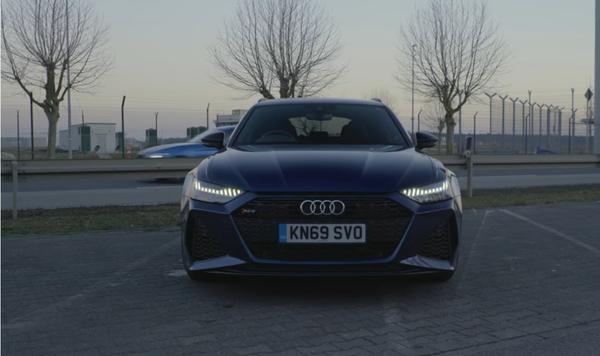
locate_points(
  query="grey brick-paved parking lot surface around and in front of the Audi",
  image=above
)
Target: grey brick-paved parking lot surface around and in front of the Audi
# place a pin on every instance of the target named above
(528, 285)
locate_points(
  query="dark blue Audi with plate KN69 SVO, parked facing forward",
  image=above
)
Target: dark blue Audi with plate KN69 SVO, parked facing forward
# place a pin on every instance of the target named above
(320, 187)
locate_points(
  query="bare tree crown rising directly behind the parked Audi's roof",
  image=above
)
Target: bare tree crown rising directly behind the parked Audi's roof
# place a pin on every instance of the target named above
(283, 45)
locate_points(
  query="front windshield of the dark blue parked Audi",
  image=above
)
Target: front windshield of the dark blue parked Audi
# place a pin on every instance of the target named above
(339, 124)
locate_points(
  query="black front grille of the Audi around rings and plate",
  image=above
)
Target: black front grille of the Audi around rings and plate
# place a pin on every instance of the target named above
(258, 221)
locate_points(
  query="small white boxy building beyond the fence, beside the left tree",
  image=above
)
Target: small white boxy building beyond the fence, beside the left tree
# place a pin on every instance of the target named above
(89, 137)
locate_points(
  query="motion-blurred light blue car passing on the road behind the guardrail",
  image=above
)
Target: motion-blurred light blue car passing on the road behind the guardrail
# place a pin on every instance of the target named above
(191, 148)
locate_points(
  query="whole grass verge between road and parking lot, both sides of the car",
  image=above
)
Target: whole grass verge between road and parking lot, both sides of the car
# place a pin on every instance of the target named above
(77, 220)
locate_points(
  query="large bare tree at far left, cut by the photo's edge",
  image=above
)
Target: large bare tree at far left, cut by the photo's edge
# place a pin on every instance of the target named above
(36, 53)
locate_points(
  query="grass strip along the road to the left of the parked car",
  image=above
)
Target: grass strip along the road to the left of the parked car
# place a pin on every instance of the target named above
(74, 220)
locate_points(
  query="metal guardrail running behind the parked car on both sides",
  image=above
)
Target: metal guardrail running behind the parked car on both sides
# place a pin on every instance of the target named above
(186, 164)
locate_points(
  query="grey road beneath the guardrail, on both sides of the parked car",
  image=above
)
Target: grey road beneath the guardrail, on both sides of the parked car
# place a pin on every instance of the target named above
(62, 191)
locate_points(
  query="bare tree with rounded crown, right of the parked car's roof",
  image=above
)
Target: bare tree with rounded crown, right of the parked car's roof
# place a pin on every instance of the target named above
(457, 53)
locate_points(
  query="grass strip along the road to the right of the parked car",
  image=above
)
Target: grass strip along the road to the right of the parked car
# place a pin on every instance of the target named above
(531, 196)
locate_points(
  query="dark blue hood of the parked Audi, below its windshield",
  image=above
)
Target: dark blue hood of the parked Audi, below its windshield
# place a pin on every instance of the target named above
(320, 170)
